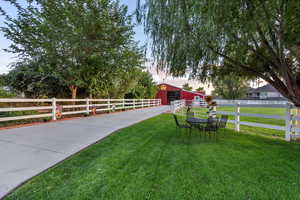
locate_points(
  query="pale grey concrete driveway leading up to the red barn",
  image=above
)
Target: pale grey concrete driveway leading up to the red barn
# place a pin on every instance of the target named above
(27, 151)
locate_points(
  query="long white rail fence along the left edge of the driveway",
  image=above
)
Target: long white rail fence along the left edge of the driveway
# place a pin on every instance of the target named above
(51, 107)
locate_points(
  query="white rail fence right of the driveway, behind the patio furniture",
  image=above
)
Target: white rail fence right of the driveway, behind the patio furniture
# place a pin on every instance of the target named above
(291, 128)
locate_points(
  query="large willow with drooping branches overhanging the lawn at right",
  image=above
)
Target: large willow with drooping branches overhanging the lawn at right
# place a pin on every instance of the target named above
(253, 38)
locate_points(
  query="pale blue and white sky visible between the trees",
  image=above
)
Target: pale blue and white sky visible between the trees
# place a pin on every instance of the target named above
(159, 77)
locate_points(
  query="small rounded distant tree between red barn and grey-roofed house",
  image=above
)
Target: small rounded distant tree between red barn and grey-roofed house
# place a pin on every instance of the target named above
(230, 86)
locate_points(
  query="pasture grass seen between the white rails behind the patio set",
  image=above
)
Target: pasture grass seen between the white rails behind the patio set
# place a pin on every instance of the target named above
(254, 130)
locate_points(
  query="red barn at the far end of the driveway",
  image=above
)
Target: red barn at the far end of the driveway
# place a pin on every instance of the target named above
(168, 93)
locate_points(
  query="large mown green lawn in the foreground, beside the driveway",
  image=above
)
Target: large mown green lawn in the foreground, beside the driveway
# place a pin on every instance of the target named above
(150, 160)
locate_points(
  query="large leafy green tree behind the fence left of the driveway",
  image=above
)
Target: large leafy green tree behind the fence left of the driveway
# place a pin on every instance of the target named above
(80, 40)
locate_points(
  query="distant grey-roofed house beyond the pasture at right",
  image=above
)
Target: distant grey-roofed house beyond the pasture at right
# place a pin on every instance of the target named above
(266, 92)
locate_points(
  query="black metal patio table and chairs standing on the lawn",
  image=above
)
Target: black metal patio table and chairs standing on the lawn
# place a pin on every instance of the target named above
(209, 125)
